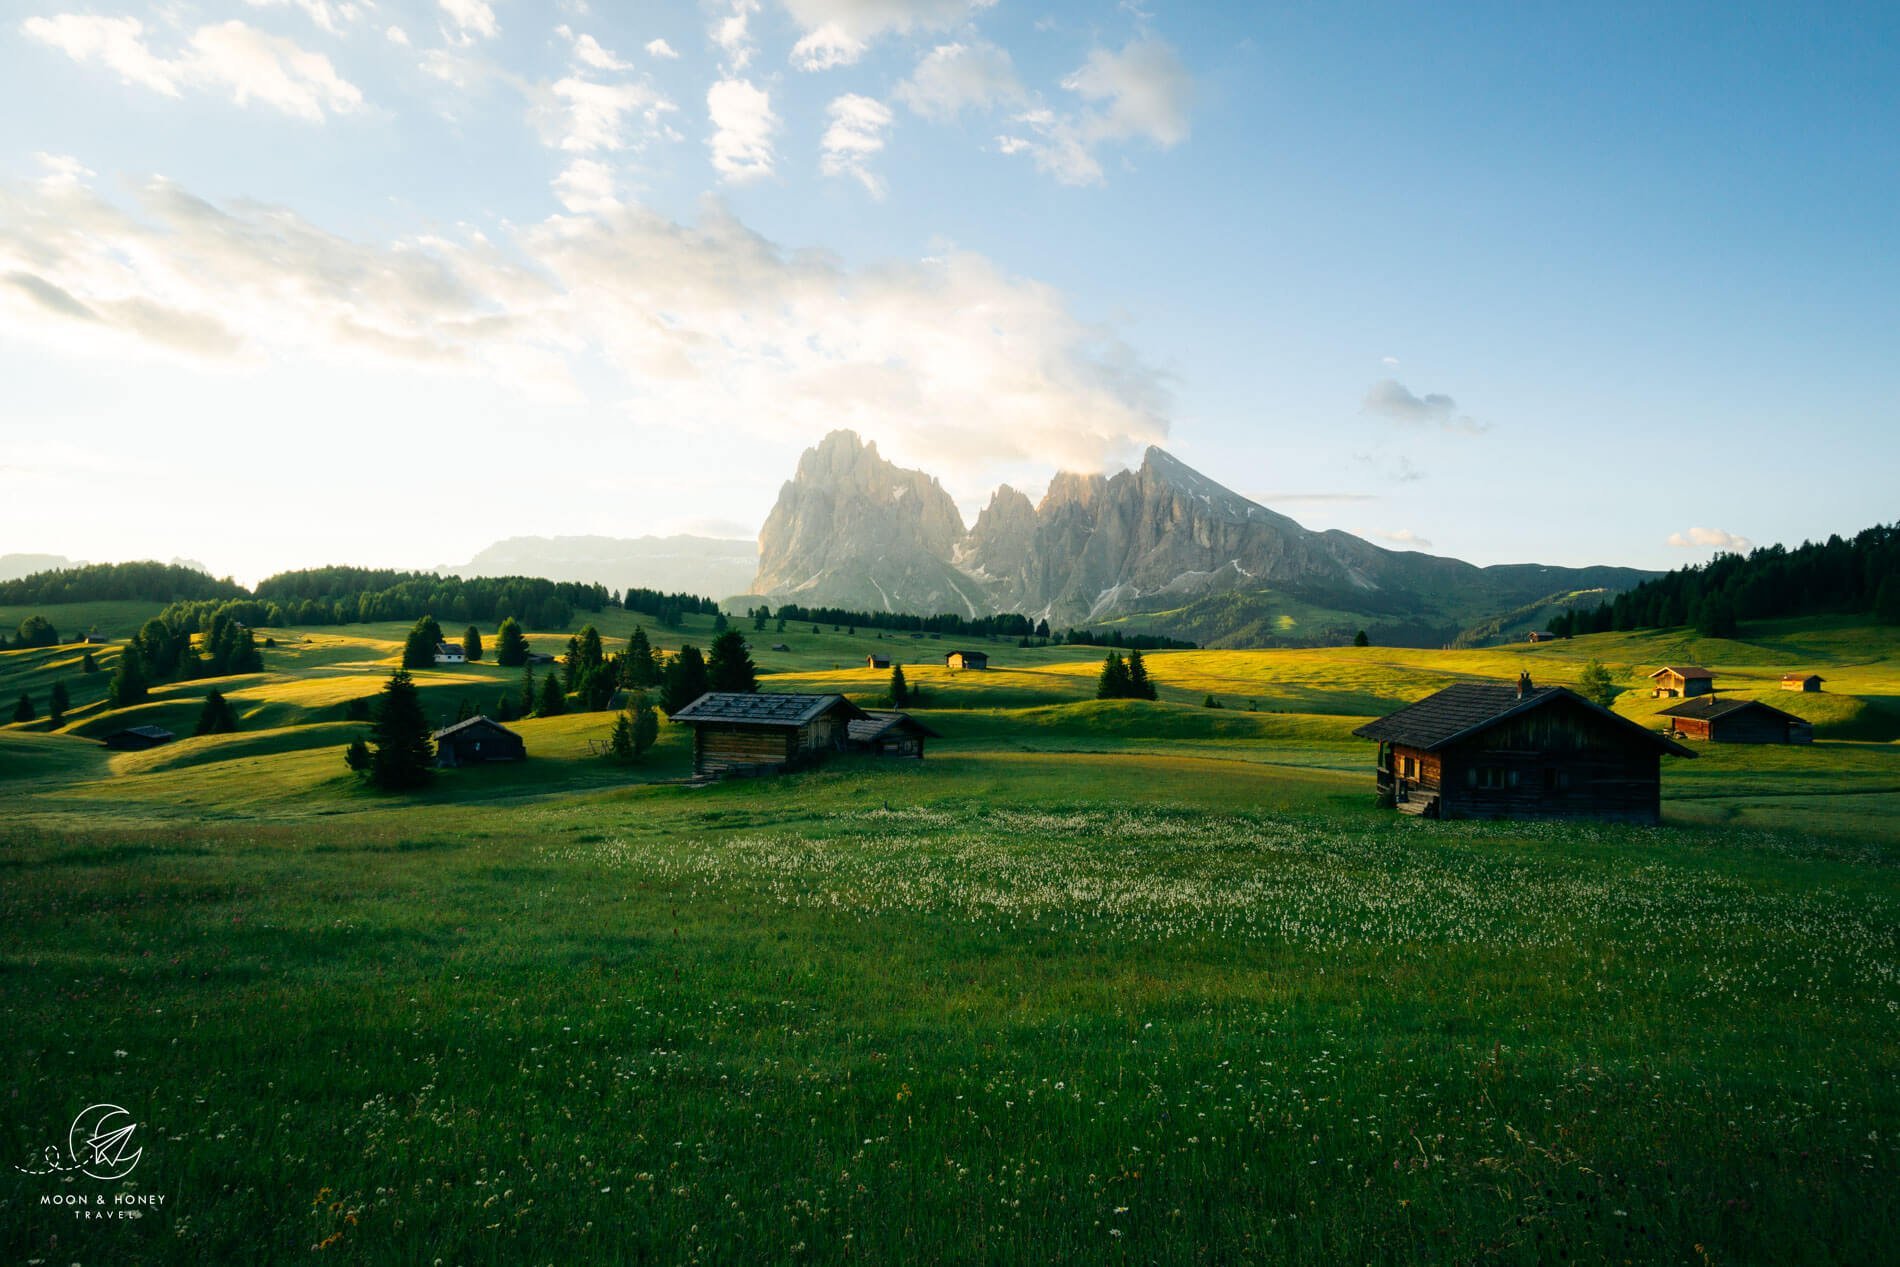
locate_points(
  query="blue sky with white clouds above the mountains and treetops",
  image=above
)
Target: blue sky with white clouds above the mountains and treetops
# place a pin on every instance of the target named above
(381, 282)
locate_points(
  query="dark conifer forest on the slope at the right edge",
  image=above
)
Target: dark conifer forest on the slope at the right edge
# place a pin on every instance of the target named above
(1857, 577)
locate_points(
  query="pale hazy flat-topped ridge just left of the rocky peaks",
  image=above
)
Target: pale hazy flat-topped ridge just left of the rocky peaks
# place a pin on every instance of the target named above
(679, 563)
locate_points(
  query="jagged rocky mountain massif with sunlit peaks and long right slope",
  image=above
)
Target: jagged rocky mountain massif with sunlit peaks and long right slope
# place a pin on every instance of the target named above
(1162, 550)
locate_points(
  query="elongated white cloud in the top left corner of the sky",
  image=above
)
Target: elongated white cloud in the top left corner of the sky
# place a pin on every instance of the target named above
(225, 58)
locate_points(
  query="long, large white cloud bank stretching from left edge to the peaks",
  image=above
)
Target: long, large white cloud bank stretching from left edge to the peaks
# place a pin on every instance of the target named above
(704, 324)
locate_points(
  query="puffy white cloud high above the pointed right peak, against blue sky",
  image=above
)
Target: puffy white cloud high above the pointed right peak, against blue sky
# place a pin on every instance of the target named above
(1143, 92)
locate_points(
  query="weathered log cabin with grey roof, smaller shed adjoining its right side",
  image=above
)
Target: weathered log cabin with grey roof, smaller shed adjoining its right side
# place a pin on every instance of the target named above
(765, 734)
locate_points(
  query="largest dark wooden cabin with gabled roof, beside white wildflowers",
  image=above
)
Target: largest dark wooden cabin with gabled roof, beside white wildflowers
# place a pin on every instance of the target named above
(1494, 751)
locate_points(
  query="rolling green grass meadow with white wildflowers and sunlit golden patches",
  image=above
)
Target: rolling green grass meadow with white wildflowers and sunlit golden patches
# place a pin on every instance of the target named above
(1097, 981)
